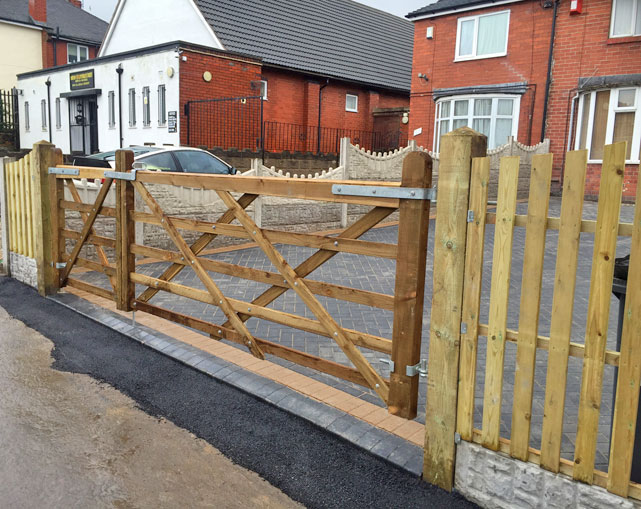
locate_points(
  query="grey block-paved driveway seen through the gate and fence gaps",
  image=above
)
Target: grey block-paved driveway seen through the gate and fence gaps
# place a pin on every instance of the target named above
(377, 275)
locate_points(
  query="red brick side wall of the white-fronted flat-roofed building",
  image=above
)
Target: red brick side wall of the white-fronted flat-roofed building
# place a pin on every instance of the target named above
(231, 77)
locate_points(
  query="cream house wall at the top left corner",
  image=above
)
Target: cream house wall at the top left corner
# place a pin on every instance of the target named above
(25, 54)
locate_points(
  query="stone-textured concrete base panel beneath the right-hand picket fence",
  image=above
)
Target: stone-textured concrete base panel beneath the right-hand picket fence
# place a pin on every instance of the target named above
(495, 480)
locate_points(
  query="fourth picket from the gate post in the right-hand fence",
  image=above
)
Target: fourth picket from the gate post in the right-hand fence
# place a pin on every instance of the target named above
(562, 307)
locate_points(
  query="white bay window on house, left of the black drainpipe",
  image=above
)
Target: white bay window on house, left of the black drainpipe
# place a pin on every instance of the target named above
(495, 116)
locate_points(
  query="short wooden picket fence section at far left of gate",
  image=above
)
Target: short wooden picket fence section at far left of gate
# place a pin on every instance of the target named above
(19, 194)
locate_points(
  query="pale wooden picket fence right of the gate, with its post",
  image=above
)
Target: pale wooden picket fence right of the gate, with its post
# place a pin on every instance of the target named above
(559, 346)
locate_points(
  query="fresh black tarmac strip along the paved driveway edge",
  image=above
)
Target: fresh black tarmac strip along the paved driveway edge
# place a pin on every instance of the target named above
(305, 462)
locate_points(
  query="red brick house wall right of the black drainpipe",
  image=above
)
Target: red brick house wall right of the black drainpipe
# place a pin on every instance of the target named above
(583, 49)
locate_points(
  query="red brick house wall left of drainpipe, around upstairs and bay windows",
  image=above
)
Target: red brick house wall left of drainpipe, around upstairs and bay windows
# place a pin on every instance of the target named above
(526, 61)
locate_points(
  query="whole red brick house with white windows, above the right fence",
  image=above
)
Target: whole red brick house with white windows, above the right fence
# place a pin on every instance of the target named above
(509, 68)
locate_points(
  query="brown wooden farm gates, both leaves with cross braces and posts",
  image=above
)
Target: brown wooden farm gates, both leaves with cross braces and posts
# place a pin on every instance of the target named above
(116, 259)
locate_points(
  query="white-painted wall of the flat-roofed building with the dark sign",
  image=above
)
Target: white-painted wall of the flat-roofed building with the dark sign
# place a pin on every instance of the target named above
(139, 71)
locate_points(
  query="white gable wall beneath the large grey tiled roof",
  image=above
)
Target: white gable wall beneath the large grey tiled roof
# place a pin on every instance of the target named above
(143, 23)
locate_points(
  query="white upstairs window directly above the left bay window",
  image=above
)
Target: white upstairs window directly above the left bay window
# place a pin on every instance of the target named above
(482, 36)
